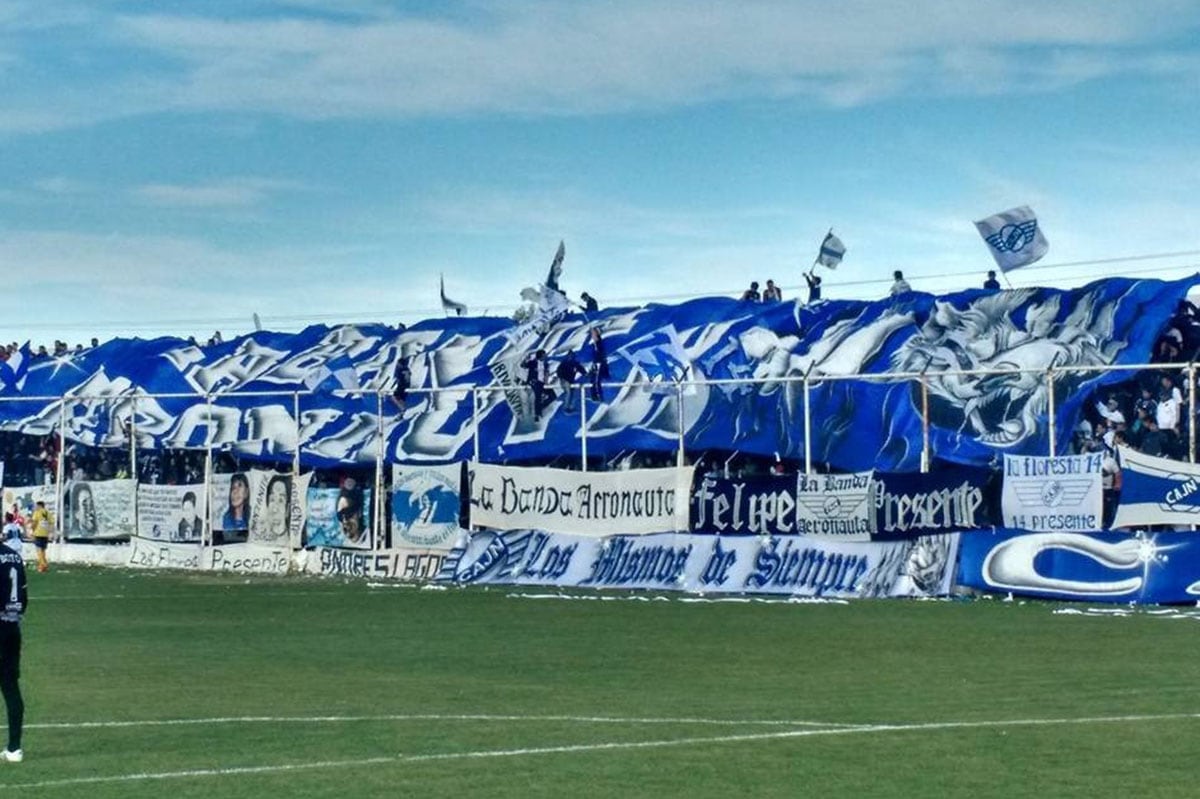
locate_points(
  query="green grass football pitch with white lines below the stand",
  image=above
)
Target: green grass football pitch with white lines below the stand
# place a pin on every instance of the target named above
(309, 688)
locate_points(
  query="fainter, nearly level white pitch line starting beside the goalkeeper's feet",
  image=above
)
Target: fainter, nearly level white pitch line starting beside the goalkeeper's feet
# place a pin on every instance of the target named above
(430, 717)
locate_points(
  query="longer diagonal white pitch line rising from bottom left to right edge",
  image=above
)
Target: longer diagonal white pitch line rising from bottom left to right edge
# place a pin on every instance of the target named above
(598, 747)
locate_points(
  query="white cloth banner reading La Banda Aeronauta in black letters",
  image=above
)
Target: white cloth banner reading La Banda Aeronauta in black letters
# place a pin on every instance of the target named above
(585, 503)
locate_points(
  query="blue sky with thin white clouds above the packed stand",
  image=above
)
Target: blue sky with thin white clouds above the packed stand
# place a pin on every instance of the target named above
(178, 169)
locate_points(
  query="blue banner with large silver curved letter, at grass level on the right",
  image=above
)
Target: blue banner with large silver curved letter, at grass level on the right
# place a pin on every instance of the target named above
(1084, 567)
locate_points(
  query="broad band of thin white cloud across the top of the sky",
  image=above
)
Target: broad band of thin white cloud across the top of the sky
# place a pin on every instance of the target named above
(585, 58)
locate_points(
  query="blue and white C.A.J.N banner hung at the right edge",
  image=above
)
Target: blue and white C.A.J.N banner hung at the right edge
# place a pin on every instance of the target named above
(1157, 491)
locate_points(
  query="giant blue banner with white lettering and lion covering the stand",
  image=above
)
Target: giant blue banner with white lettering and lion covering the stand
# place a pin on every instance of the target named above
(856, 425)
